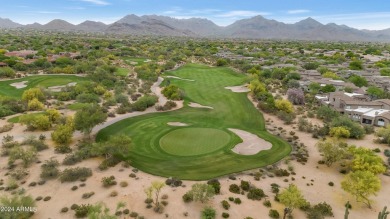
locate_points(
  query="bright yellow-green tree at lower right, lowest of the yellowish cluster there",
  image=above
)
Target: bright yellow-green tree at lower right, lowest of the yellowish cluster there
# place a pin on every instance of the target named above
(361, 184)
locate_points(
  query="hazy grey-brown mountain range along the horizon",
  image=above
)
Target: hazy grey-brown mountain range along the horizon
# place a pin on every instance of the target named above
(256, 27)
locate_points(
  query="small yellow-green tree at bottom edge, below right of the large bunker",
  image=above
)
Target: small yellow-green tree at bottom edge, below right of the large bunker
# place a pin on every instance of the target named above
(292, 198)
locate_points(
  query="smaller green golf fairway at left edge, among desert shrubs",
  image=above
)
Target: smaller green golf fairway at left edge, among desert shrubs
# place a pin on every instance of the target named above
(37, 81)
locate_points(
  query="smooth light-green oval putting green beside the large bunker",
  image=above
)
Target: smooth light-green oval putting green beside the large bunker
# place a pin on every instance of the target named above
(194, 141)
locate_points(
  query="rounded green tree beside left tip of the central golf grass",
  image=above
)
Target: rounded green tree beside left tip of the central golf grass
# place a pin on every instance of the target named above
(88, 117)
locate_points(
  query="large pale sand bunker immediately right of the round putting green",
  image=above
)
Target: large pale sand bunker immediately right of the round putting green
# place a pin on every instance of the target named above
(251, 143)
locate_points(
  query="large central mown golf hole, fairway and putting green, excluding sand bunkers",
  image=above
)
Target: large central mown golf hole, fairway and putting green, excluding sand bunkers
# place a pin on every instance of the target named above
(158, 148)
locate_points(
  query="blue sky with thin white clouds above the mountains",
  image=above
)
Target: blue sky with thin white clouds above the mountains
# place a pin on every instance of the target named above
(362, 14)
